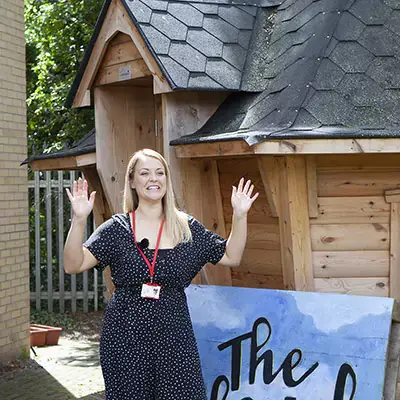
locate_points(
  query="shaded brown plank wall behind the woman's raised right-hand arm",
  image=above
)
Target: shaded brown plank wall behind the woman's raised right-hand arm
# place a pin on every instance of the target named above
(261, 265)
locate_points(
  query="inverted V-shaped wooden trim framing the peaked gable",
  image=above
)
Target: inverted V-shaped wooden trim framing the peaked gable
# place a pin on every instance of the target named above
(117, 21)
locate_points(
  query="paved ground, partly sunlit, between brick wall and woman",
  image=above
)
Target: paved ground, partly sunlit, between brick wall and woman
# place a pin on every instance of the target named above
(68, 371)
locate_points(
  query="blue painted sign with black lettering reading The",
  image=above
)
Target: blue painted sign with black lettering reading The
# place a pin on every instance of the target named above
(259, 344)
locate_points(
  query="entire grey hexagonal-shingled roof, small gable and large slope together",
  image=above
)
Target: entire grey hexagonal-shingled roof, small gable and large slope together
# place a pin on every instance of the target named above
(298, 68)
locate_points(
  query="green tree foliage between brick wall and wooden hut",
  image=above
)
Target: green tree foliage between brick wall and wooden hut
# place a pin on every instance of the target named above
(57, 34)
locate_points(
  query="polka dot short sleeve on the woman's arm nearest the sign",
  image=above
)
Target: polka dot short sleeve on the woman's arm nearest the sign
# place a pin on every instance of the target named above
(211, 247)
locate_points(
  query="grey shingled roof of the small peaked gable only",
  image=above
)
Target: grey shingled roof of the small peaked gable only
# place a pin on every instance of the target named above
(199, 45)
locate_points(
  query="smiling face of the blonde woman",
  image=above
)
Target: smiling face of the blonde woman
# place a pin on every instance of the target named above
(149, 179)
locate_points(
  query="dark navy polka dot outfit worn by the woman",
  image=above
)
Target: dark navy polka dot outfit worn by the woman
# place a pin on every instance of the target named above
(147, 348)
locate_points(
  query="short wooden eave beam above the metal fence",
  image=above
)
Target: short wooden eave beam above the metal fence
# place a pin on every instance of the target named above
(64, 163)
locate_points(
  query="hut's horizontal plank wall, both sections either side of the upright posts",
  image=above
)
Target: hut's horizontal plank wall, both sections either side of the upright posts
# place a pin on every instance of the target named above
(351, 224)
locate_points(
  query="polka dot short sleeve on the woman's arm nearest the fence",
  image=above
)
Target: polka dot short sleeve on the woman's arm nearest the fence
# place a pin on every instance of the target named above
(102, 242)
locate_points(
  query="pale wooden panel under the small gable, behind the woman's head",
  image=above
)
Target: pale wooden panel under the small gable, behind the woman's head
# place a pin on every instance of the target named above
(124, 123)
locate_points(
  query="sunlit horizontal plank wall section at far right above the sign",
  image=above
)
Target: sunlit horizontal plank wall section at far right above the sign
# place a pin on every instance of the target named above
(350, 236)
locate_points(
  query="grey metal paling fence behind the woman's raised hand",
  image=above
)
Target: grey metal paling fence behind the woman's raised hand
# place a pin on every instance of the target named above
(50, 217)
